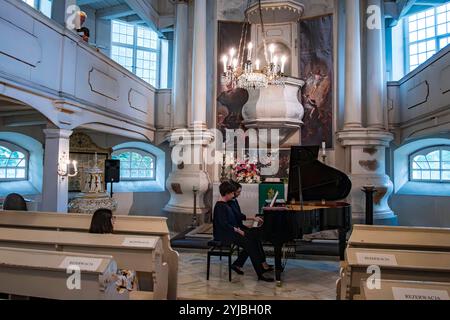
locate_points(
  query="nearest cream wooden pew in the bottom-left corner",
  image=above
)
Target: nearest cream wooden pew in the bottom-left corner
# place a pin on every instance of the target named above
(43, 274)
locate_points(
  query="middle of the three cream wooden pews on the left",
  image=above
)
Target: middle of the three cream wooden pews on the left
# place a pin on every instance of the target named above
(142, 254)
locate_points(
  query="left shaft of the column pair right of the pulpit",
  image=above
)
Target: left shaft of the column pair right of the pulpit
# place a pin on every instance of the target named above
(352, 115)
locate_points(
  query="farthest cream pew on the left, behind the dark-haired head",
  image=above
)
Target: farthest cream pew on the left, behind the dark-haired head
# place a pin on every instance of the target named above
(127, 225)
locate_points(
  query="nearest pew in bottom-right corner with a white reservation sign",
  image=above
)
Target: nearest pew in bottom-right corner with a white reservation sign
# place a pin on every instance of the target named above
(407, 290)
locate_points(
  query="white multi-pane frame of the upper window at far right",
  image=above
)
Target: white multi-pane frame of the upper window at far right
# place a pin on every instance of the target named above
(436, 38)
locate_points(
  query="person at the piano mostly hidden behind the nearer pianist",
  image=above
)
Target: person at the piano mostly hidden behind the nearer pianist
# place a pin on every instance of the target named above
(251, 232)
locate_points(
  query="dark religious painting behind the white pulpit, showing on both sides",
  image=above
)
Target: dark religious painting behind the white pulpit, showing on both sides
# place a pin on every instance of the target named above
(316, 69)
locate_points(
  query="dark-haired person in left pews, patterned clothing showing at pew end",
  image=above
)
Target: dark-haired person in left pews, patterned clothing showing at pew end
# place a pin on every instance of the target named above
(103, 223)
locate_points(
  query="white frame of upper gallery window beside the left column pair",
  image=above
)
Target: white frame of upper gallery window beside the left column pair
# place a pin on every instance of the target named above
(135, 48)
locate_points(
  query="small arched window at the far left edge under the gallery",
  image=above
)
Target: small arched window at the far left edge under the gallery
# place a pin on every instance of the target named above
(13, 162)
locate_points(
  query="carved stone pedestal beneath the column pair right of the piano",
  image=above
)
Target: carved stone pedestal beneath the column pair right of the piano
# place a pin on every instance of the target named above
(366, 155)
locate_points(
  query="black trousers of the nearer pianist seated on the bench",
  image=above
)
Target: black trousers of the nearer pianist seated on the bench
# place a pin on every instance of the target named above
(253, 249)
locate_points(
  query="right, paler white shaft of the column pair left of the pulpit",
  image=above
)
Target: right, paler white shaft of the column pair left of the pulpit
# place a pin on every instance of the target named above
(199, 66)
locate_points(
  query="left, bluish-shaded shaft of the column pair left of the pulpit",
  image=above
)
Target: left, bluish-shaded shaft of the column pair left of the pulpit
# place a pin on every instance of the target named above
(180, 87)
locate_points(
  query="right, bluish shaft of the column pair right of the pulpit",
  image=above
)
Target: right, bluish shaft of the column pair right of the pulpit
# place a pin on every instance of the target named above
(375, 72)
